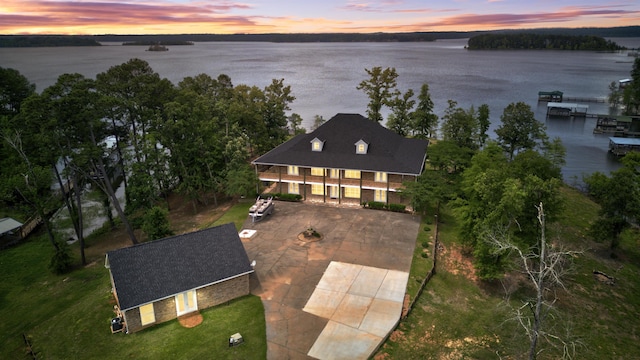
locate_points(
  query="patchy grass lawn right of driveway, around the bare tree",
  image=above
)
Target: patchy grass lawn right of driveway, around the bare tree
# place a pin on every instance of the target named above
(457, 317)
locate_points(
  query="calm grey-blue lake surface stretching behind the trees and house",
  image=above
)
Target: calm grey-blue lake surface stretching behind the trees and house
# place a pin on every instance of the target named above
(323, 77)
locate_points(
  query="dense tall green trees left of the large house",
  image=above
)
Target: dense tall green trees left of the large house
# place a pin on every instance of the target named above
(194, 138)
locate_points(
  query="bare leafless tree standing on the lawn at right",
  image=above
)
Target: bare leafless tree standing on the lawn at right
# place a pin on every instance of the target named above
(545, 269)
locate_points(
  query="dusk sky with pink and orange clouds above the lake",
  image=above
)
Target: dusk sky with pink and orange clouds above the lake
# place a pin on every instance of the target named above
(301, 16)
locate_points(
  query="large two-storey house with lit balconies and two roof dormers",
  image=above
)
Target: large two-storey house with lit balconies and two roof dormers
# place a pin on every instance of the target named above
(348, 159)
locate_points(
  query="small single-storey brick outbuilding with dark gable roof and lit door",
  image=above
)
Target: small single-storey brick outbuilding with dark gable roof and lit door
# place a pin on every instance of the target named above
(163, 279)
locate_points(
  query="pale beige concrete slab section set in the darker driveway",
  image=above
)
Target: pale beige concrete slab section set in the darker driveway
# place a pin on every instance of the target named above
(369, 304)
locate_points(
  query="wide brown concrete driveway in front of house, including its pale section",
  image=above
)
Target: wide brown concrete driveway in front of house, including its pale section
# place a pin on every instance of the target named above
(288, 271)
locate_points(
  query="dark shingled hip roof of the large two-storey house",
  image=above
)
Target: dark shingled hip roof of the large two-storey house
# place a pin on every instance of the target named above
(387, 152)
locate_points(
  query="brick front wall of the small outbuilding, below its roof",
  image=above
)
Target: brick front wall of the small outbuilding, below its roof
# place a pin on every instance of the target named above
(209, 296)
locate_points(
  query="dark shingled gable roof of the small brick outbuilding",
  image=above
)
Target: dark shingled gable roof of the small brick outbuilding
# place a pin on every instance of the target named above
(162, 268)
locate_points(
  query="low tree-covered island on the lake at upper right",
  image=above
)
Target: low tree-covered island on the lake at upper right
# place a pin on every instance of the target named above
(495, 41)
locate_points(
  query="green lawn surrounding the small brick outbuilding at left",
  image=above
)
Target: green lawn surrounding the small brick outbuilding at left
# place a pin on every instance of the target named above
(68, 316)
